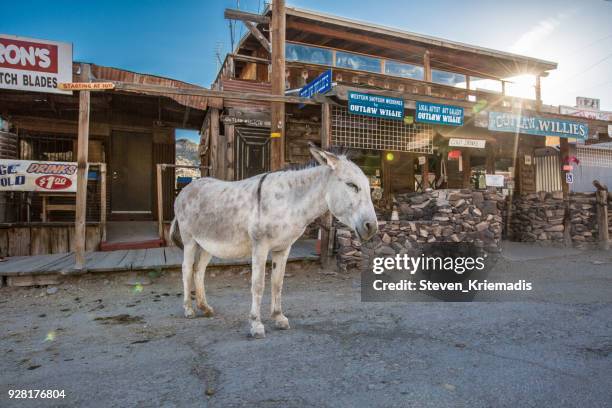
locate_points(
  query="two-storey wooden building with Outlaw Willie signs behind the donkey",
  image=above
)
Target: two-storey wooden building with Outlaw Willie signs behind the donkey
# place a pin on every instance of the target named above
(399, 155)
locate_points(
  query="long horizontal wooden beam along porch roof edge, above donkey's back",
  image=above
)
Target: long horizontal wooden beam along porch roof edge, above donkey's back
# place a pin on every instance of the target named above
(210, 93)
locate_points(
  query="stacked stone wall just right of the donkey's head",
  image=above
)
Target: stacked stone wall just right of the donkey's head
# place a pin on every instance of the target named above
(435, 216)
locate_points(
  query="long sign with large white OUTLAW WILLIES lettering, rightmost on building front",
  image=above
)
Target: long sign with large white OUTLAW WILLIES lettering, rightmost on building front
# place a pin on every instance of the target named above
(536, 125)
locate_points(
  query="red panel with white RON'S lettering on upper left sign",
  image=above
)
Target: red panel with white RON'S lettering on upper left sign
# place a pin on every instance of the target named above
(28, 55)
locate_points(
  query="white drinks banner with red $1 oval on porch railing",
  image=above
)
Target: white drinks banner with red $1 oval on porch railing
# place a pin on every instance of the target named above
(28, 175)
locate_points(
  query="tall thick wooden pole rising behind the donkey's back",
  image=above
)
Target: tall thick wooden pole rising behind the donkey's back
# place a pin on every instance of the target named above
(277, 131)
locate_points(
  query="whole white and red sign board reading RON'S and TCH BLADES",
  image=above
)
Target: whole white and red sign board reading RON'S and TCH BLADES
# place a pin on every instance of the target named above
(34, 65)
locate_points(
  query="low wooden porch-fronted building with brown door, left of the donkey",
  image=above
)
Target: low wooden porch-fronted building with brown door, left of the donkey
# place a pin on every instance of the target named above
(130, 133)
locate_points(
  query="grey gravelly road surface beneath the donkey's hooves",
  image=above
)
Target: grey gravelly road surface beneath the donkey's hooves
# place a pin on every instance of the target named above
(109, 344)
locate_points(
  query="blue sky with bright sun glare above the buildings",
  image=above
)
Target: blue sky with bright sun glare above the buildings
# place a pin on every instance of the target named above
(180, 39)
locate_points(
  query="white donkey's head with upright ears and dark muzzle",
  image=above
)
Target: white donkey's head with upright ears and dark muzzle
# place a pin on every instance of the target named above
(348, 193)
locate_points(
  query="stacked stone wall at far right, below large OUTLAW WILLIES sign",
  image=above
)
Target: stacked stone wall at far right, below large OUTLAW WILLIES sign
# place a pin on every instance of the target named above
(541, 217)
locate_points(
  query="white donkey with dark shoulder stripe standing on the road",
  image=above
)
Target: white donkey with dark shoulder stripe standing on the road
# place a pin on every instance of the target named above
(262, 214)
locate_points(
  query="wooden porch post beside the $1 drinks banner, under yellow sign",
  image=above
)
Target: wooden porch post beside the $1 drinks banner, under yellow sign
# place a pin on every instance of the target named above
(82, 151)
